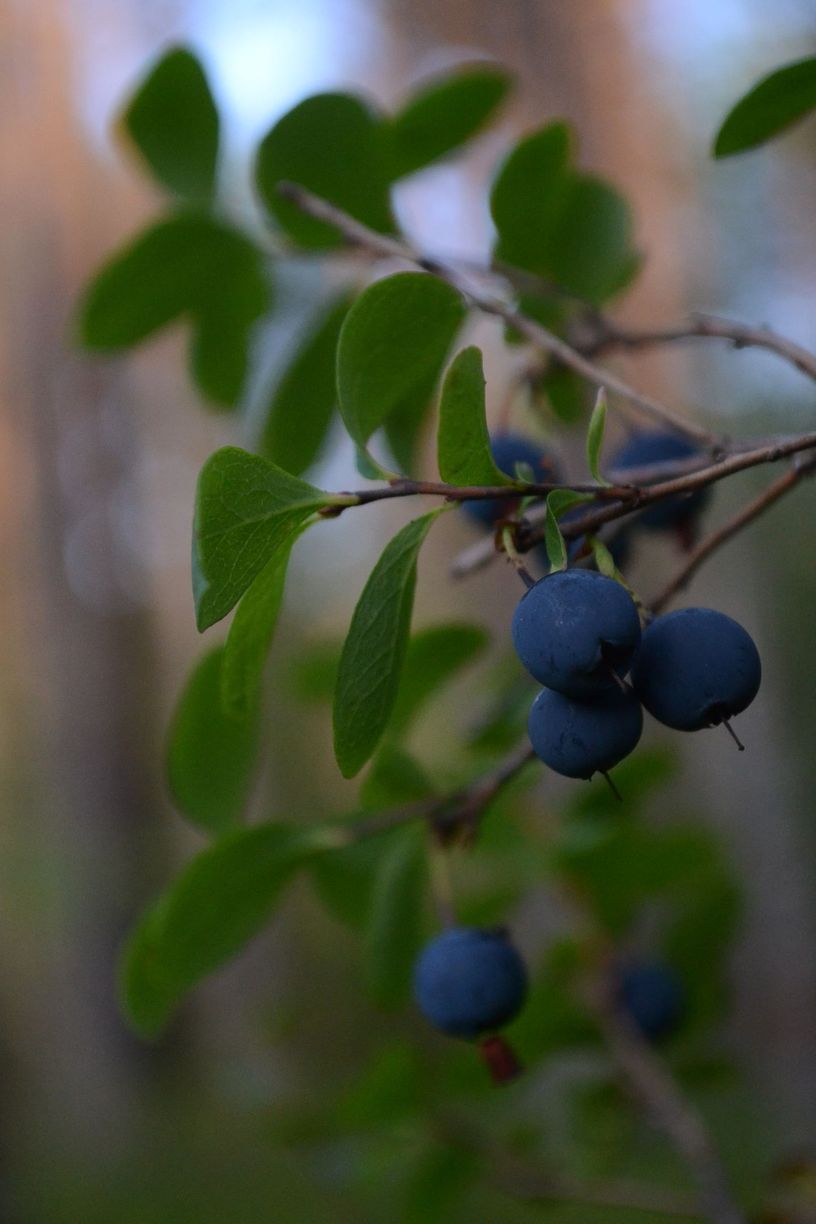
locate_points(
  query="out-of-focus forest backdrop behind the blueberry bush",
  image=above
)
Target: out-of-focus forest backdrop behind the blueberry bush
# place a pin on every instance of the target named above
(98, 462)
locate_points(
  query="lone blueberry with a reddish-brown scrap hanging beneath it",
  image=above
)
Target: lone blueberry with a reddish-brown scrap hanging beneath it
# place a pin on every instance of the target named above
(468, 982)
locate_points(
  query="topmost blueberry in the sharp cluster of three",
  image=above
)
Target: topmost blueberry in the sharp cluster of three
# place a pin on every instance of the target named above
(573, 629)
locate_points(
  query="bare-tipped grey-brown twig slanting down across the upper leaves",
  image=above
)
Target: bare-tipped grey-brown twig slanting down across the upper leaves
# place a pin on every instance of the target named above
(384, 247)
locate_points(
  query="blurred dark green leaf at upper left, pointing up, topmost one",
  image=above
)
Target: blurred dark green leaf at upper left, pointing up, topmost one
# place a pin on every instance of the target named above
(173, 124)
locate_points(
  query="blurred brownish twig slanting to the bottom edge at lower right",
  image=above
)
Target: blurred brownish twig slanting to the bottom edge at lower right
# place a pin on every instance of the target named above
(653, 1085)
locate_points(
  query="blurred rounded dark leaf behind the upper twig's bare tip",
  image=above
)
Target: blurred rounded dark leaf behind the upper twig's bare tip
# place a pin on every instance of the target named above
(333, 145)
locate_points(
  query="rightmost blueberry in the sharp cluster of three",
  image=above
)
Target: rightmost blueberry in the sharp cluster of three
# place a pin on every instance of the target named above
(697, 669)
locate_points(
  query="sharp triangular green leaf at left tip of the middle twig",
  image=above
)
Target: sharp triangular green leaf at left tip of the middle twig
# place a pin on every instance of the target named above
(247, 510)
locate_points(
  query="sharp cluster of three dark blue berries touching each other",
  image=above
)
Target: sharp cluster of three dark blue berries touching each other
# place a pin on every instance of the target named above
(579, 635)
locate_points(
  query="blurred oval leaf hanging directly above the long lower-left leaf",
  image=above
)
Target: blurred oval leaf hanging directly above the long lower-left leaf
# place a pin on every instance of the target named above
(211, 756)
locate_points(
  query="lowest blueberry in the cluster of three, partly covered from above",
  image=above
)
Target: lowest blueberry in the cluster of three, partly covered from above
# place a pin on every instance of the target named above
(582, 739)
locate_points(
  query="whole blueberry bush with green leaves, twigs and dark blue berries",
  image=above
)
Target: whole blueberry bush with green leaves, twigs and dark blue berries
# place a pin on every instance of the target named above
(429, 872)
